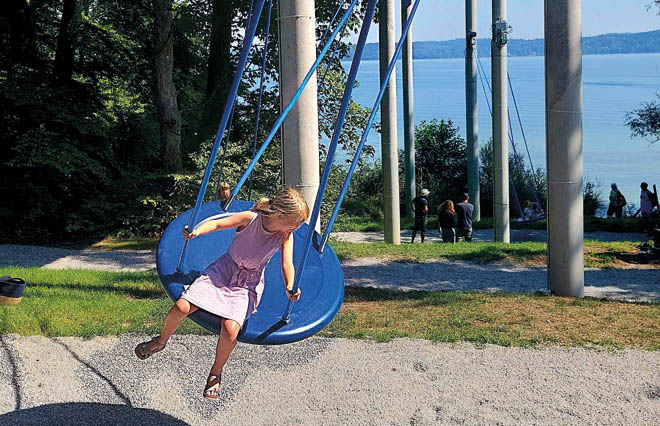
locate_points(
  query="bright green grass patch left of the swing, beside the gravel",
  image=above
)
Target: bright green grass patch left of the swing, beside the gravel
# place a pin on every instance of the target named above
(86, 303)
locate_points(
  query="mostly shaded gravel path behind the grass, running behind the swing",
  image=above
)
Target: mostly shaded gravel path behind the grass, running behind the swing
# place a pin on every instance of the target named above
(616, 284)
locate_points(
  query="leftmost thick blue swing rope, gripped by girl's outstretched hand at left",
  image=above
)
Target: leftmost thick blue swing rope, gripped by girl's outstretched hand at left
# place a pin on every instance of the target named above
(231, 96)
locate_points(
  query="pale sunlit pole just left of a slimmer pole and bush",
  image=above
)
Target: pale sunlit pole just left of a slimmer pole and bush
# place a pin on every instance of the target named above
(389, 147)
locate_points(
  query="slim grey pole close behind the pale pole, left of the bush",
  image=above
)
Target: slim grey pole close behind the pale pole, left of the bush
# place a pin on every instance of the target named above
(408, 108)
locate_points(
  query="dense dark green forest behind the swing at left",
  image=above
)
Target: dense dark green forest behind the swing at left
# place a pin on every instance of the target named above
(110, 109)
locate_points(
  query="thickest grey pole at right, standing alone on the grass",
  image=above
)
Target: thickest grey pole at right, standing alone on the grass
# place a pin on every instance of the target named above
(563, 115)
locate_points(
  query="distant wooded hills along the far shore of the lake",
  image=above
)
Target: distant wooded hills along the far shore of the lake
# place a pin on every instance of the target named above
(646, 42)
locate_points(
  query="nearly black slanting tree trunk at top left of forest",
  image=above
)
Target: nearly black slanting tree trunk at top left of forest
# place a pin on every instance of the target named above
(66, 39)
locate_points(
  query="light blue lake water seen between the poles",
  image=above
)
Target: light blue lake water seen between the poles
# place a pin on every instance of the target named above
(612, 85)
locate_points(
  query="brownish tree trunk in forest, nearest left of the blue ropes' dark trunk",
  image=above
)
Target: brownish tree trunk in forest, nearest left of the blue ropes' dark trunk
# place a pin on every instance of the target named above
(168, 110)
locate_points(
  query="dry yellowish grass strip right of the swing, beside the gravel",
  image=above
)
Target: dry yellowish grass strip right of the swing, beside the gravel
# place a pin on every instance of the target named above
(500, 318)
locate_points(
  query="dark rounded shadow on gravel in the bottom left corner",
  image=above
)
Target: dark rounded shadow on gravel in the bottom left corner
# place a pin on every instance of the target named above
(87, 413)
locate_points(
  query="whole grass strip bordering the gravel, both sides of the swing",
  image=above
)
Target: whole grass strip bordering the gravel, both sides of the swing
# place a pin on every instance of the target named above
(95, 303)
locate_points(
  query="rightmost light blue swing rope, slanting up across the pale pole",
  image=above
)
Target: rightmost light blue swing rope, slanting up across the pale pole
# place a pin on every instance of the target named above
(370, 122)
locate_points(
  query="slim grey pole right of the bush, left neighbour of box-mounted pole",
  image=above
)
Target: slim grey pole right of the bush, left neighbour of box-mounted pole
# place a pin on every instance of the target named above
(471, 112)
